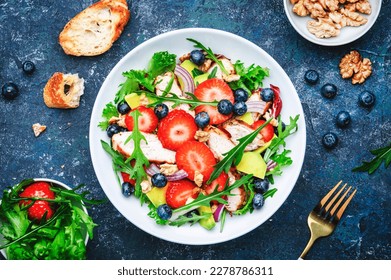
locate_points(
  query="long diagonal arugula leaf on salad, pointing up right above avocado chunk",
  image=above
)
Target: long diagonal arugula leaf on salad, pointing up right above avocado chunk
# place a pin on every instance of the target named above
(234, 156)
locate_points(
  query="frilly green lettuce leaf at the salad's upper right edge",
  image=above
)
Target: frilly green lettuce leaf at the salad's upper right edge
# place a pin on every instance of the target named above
(250, 78)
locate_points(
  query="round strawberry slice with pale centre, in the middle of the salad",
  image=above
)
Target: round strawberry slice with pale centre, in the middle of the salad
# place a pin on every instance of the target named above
(176, 128)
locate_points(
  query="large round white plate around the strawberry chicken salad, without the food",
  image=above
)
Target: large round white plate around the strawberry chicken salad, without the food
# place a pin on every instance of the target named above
(235, 48)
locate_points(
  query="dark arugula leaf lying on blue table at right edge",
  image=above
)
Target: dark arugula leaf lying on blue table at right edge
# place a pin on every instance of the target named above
(381, 155)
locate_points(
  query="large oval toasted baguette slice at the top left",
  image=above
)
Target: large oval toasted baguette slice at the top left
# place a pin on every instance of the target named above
(94, 30)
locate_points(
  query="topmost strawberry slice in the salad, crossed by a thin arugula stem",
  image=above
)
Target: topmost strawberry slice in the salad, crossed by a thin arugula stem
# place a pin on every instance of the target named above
(213, 90)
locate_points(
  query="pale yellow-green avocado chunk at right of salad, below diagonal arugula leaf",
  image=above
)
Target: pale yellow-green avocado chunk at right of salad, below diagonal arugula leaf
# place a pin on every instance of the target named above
(252, 163)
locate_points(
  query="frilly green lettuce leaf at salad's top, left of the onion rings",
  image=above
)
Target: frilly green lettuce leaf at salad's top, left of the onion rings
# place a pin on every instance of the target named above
(160, 63)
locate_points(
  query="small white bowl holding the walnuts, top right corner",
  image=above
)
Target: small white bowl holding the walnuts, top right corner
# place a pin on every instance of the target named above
(347, 35)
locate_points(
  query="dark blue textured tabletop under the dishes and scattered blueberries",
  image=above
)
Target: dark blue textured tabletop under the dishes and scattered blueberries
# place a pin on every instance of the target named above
(29, 31)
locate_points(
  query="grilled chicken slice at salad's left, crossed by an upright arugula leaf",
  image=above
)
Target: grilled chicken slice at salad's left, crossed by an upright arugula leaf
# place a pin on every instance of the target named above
(153, 151)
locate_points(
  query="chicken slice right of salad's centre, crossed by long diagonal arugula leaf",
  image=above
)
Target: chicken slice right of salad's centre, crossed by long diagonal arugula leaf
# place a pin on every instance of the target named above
(238, 129)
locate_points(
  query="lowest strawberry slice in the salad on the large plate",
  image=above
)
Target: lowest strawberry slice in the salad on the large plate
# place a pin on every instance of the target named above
(178, 192)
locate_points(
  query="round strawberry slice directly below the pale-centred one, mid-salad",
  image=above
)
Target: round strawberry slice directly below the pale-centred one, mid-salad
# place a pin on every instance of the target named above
(195, 156)
